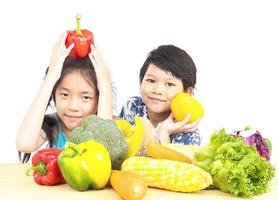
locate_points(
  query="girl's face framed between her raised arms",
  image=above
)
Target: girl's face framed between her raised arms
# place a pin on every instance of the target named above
(75, 99)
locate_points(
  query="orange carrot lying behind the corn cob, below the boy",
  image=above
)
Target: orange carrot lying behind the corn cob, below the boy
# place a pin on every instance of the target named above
(162, 152)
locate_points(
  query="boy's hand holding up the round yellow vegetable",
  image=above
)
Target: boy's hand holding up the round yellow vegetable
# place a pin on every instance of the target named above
(170, 126)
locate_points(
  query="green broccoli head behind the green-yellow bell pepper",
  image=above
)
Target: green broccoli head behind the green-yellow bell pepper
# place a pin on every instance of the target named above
(104, 131)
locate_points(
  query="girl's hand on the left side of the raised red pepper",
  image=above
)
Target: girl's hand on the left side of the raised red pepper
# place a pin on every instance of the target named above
(58, 56)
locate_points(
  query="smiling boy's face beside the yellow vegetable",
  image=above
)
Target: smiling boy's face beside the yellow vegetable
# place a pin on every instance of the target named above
(158, 88)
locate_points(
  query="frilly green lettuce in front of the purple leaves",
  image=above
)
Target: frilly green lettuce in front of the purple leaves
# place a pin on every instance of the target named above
(235, 166)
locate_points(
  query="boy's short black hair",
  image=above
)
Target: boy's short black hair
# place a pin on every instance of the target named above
(174, 60)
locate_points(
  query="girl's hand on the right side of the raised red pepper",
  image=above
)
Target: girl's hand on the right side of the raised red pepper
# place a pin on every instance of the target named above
(101, 69)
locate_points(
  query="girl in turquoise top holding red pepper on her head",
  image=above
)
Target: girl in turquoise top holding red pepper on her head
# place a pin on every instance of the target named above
(78, 88)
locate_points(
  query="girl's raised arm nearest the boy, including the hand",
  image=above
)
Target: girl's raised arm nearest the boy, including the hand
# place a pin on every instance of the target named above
(104, 84)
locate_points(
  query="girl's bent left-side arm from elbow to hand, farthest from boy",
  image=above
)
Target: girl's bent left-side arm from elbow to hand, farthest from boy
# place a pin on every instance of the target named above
(30, 135)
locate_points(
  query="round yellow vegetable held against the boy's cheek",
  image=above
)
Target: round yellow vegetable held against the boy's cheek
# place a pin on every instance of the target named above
(183, 104)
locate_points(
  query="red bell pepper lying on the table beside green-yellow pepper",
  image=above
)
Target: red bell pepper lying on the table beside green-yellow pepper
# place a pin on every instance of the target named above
(45, 168)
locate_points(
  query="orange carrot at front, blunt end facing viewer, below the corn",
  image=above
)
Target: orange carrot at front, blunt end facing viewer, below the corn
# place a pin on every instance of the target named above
(130, 185)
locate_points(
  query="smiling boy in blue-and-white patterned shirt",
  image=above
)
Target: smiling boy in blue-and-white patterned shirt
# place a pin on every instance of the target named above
(167, 71)
